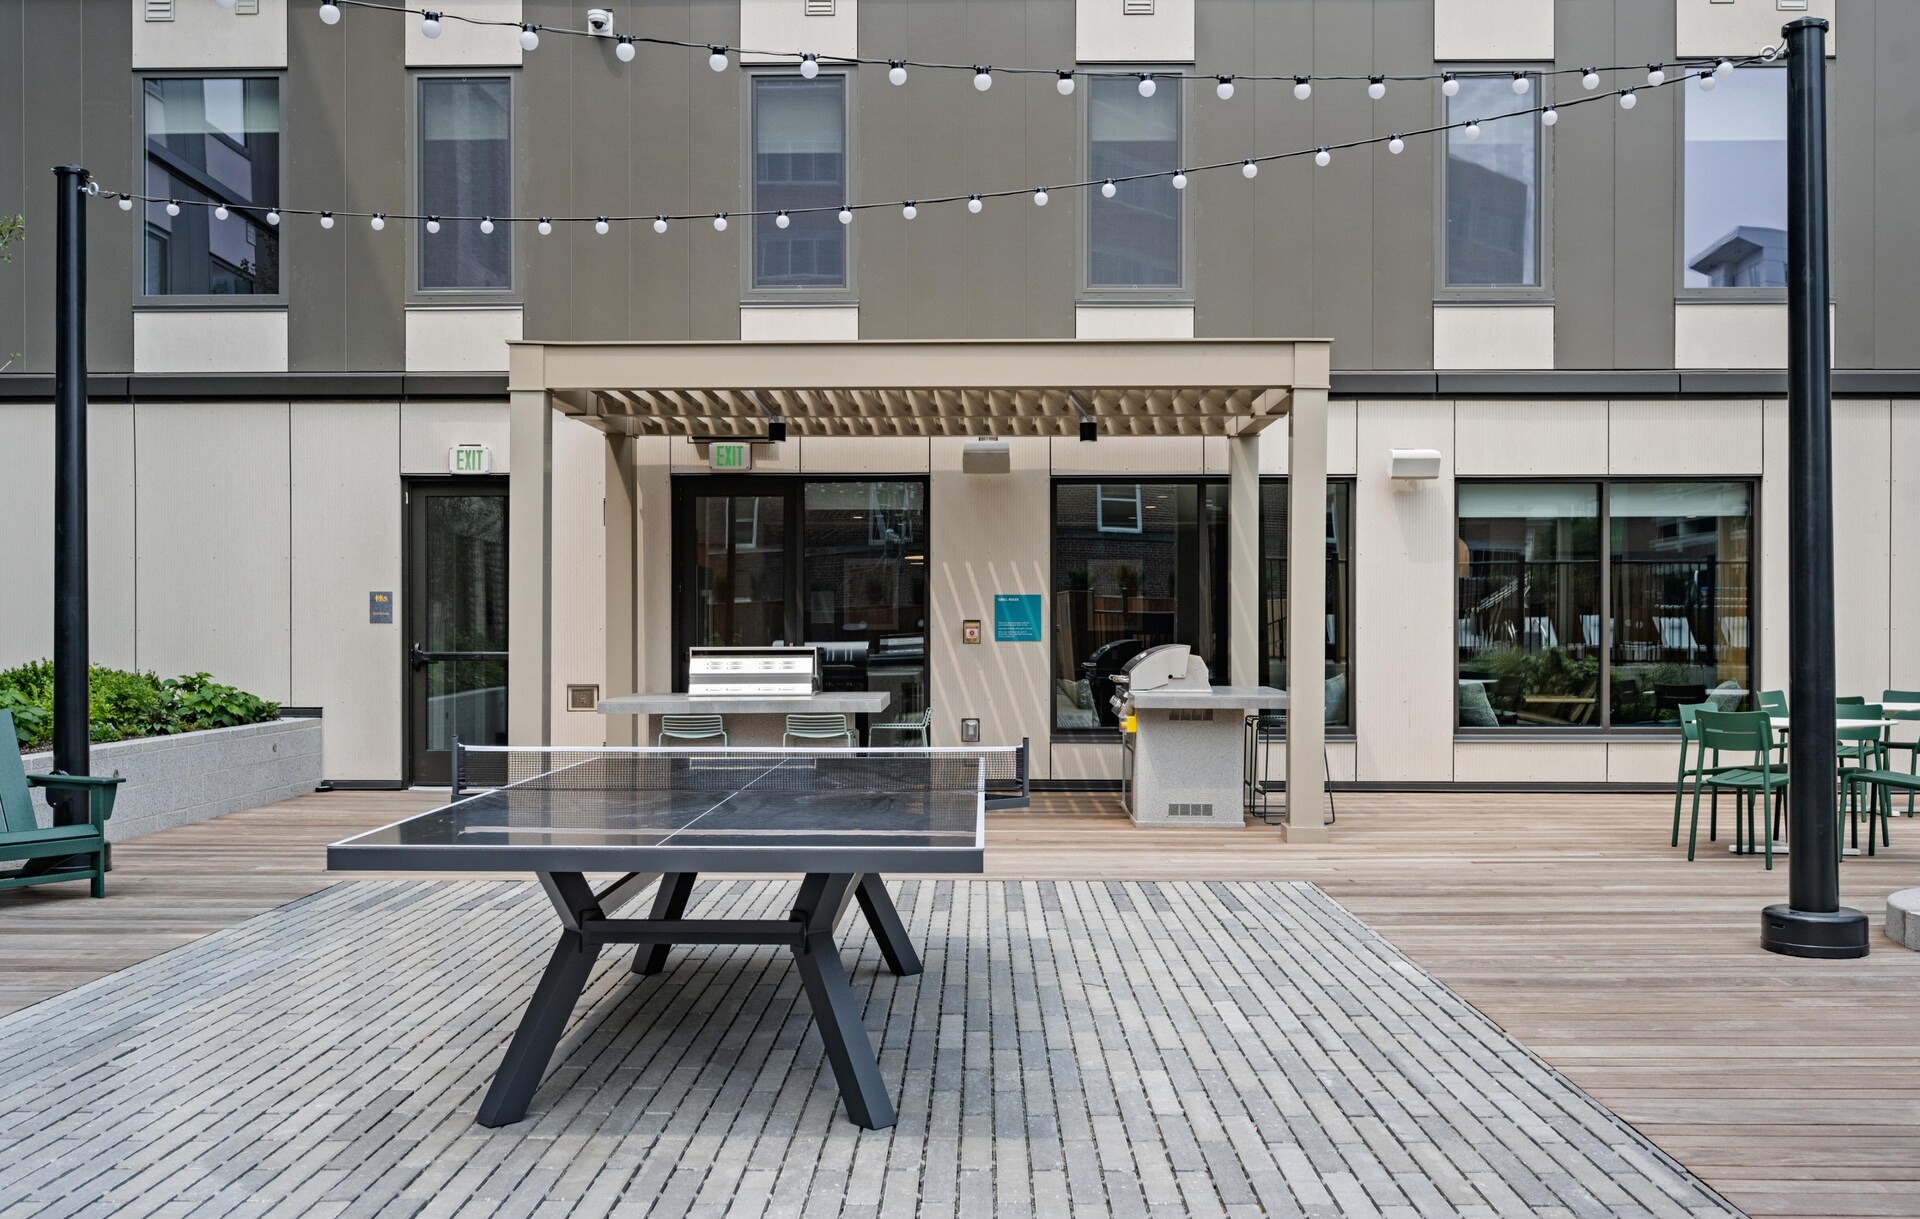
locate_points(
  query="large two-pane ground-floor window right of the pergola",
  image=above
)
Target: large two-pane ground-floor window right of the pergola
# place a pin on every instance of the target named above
(1545, 633)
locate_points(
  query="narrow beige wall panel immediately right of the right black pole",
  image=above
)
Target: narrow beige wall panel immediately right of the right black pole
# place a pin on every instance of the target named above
(1861, 546)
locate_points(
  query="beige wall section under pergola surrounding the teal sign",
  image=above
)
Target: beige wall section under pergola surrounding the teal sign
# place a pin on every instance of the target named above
(982, 542)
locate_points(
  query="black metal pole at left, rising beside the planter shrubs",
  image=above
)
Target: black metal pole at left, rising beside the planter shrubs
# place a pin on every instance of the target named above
(70, 485)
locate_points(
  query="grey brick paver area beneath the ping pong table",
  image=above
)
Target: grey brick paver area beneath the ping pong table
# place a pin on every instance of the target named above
(1072, 1049)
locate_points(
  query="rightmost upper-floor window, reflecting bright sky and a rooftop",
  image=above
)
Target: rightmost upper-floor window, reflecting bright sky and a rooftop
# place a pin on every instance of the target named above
(1735, 231)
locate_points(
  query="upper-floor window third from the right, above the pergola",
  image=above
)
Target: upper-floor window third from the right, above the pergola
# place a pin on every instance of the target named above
(1134, 239)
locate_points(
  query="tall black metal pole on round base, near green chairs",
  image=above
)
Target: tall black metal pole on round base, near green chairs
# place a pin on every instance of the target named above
(1812, 922)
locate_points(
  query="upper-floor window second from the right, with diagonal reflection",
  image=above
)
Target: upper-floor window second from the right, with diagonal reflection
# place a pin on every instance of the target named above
(1493, 189)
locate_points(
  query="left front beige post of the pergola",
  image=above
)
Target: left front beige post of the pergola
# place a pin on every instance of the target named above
(531, 571)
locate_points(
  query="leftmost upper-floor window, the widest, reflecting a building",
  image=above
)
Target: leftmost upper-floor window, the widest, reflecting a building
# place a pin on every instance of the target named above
(216, 141)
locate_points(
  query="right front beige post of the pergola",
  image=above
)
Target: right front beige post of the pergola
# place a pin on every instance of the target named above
(1307, 617)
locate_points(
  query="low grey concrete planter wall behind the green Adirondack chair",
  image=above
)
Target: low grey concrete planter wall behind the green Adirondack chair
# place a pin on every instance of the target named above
(201, 775)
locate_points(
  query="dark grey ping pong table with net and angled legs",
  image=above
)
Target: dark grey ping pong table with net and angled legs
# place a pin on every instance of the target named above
(836, 817)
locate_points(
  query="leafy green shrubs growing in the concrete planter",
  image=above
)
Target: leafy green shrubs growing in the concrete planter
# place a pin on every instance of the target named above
(126, 705)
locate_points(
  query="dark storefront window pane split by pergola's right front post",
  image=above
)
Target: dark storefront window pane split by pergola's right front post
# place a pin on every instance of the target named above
(1339, 592)
